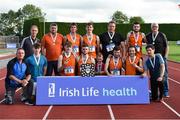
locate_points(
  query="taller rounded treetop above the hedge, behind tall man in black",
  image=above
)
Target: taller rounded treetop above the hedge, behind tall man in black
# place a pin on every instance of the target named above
(119, 17)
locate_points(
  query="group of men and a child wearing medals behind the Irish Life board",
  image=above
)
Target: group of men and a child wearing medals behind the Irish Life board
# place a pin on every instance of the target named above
(111, 54)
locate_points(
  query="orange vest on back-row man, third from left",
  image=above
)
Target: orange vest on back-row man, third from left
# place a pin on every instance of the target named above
(75, 43)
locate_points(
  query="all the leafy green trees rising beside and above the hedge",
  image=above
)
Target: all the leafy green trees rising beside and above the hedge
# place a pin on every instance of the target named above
(11, 22)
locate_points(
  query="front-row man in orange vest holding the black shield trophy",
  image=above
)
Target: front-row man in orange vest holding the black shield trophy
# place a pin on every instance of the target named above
(84, 58)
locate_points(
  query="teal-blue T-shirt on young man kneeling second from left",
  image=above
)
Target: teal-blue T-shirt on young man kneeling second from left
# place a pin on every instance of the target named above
(36, 70)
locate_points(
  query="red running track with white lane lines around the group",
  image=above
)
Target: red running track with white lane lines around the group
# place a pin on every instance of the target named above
(155, 110)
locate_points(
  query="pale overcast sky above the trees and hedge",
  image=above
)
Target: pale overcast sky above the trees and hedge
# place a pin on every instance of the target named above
(161, 11)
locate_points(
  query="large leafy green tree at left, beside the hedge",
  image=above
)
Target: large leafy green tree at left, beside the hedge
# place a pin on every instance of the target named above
(12, 22)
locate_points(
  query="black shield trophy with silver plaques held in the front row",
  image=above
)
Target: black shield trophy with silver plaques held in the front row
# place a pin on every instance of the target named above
(87, 70)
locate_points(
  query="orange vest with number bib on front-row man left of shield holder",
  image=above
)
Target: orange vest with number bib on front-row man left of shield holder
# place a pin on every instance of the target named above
(69, 65)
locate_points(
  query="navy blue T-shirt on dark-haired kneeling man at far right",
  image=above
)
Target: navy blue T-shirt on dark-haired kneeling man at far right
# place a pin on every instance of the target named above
(154, 69)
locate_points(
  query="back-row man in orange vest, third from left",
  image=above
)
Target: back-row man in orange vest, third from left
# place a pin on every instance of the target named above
(74, 38)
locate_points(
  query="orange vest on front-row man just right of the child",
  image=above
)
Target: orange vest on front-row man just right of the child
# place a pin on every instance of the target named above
(115, 69)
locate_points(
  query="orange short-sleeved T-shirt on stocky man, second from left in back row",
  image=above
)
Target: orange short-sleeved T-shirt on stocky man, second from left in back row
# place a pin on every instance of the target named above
(53, 49)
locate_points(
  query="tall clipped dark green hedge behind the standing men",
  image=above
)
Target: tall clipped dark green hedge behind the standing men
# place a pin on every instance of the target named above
(171, 30)
